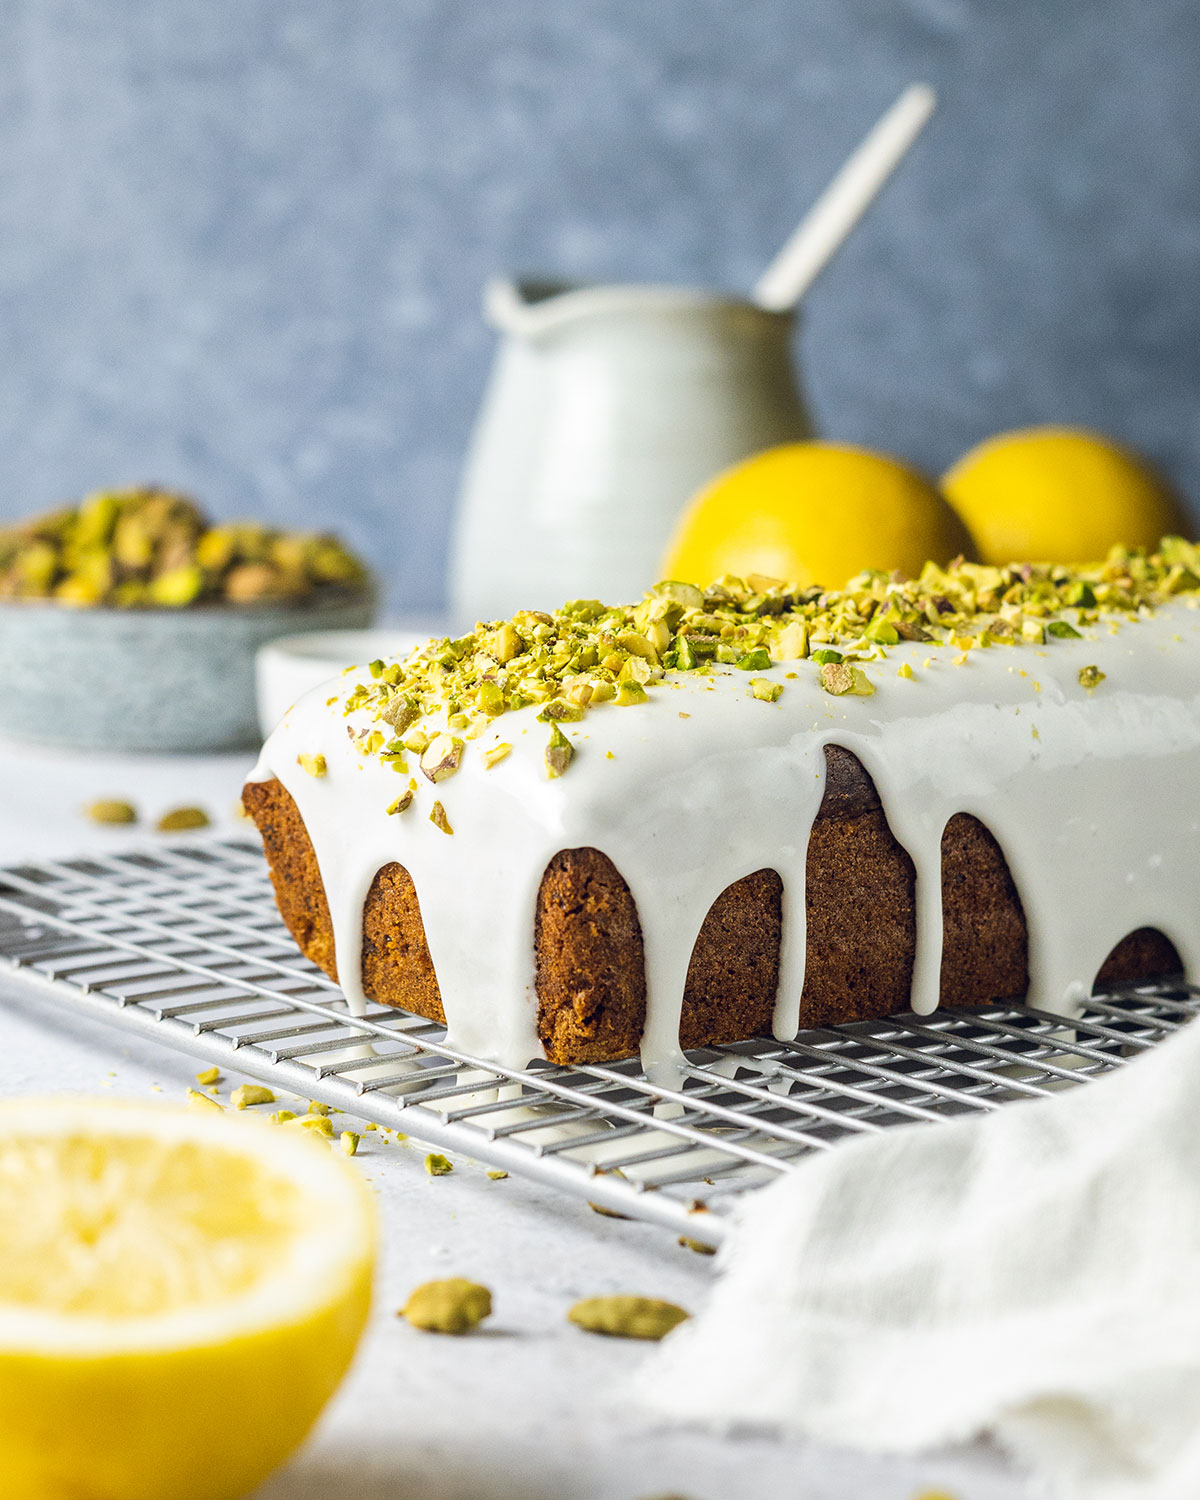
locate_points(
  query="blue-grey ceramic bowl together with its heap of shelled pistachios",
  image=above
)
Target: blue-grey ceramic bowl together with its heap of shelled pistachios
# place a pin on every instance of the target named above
(131, 623)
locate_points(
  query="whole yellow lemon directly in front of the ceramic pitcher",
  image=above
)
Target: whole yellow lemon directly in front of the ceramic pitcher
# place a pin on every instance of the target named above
(815, 514)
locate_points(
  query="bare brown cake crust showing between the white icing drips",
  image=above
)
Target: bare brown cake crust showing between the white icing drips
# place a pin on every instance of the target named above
(590, 973)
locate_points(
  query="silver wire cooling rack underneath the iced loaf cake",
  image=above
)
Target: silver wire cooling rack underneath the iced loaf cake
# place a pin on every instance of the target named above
(184, 944)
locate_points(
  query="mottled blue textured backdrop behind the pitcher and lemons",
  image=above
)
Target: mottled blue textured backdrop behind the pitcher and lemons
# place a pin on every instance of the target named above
(242, 241)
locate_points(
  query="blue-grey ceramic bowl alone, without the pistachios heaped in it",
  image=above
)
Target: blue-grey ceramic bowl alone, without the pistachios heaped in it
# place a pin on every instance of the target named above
(149, 679)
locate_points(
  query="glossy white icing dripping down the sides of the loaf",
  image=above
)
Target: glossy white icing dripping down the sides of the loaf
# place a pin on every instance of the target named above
(1093, 797)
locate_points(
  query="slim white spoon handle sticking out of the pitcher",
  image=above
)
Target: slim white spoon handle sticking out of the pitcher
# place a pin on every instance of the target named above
(838, 211)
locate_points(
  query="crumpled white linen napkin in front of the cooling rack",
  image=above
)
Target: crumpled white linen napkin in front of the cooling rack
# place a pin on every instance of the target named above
(1033, 1274)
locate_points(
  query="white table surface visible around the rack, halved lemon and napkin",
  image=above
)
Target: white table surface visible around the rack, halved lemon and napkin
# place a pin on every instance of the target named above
(527, 1408)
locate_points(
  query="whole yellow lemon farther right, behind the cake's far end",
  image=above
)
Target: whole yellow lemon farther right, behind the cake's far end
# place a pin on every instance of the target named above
(1060, 496)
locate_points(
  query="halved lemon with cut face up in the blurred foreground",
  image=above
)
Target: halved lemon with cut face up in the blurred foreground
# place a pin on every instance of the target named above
(181, 1294)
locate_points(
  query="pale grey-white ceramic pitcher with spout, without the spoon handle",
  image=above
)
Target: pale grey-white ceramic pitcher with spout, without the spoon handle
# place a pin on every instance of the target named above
(607, 410)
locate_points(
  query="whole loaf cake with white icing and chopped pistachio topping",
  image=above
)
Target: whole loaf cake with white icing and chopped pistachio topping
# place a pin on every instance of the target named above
(755, 809)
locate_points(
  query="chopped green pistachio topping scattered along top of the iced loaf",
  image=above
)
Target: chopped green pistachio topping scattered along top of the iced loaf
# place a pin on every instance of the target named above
(589, 655)
